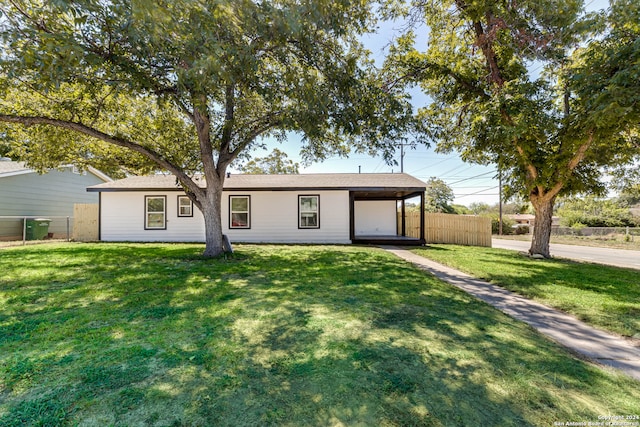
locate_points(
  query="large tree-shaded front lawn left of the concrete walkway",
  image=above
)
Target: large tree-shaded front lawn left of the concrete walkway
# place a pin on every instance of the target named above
(137, 335)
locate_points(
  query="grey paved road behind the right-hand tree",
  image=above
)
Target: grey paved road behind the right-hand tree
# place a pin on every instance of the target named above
(616, 257)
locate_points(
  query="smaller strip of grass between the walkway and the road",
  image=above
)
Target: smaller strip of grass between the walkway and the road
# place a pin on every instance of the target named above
(605, 297)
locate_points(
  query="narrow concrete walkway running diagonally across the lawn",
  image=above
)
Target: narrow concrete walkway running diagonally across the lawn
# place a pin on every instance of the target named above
(595, 344)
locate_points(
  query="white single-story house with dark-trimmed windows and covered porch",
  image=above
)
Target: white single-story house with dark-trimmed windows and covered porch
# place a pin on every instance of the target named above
(306, 208)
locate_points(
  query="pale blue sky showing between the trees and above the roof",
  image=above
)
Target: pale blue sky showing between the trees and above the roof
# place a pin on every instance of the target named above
(470, 183)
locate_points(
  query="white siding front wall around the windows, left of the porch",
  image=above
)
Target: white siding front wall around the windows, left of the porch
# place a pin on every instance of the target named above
(274, 218)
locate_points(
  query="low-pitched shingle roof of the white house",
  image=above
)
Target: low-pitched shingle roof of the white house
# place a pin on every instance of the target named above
(394, 184)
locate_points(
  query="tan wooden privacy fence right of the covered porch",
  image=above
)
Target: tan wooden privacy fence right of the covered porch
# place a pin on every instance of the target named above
(447, 228)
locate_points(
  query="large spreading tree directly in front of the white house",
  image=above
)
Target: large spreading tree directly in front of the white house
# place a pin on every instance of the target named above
(187, 86)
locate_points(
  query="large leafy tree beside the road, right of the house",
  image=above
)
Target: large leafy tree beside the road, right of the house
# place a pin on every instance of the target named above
(522, 85)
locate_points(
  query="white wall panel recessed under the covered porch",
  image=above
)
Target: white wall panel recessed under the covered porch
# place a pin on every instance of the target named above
(375, 217)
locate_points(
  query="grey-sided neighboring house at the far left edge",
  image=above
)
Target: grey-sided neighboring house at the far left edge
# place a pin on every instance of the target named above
(26, 193)
